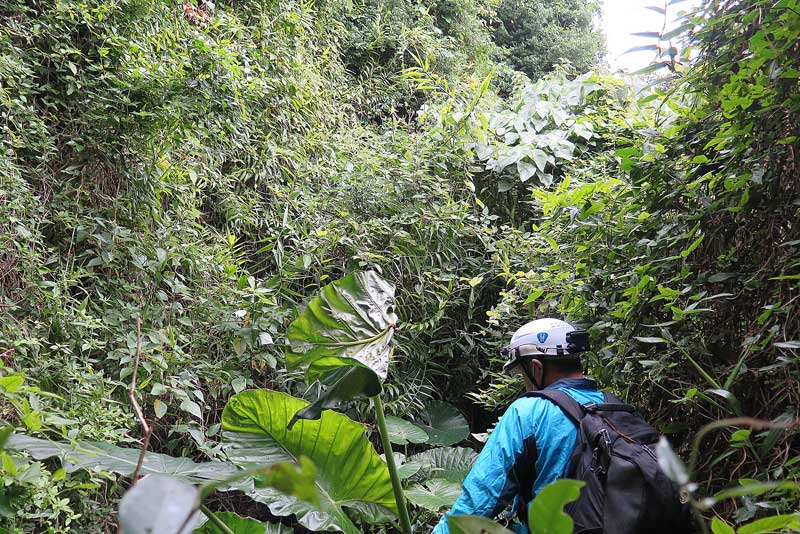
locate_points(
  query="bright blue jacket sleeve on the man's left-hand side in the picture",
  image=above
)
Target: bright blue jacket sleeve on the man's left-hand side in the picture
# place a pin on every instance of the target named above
(493, 482)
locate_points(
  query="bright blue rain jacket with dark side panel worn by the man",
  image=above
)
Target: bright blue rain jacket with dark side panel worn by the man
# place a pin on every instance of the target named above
(528, 449)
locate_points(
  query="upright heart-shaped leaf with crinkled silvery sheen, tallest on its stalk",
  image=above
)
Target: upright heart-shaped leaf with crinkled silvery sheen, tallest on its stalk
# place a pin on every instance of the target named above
(351, 322)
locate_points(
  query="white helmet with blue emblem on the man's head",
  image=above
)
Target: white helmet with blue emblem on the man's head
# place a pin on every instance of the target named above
(545, 339)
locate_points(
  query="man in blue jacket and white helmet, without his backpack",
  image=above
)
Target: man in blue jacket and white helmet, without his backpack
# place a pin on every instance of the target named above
(531, 444)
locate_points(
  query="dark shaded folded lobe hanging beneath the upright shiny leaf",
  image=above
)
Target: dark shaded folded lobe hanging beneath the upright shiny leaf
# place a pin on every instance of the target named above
(344, 384)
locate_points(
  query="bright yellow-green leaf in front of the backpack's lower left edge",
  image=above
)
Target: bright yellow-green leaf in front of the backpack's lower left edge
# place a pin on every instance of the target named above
(546, 512)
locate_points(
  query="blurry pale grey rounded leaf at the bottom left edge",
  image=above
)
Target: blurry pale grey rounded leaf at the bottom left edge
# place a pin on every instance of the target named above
(159, 504)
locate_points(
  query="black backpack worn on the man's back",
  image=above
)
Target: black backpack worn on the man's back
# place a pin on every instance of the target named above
(625, 492)
